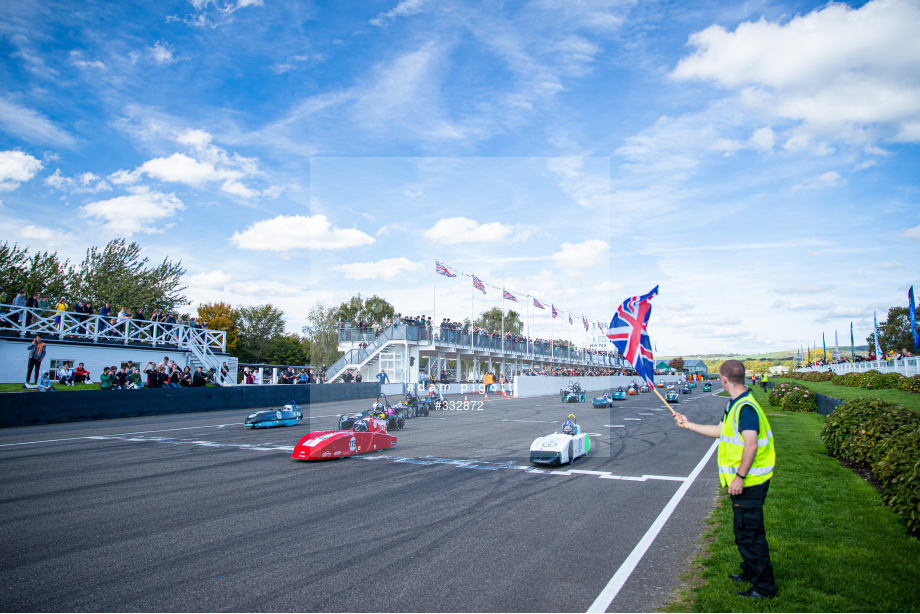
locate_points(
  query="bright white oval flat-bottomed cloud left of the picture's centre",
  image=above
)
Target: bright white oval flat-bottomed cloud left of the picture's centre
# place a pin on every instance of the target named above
(296, 232)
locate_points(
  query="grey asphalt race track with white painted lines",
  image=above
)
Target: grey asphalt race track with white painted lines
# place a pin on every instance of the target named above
(194, 512)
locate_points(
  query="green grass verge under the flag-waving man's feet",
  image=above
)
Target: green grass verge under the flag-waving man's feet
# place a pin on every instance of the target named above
(835, 547)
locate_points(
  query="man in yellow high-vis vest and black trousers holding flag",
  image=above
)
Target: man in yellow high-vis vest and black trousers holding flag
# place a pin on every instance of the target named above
(746, 459)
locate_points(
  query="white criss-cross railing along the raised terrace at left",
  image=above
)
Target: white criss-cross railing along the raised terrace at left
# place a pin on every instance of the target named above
(27, 322)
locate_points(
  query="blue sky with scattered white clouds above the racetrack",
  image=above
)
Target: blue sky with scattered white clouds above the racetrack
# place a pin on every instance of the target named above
(758, 161)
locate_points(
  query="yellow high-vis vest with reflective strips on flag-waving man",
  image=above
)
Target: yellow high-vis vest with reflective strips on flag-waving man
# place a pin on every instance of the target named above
(731, 446)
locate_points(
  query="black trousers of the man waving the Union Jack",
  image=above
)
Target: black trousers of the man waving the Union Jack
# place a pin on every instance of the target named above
(751, 538)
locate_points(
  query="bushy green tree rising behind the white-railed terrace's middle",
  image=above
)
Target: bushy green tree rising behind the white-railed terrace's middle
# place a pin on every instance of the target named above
(118, 275)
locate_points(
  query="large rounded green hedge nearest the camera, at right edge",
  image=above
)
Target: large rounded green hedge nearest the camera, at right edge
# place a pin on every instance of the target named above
(885, 438)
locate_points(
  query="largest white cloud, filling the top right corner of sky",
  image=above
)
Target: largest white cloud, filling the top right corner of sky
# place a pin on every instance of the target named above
(834, 69)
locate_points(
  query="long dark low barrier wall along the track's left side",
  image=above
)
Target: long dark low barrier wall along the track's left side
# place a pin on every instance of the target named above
(30, 408)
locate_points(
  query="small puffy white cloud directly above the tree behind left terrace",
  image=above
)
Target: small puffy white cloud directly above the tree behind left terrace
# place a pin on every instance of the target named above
(133, 213)
